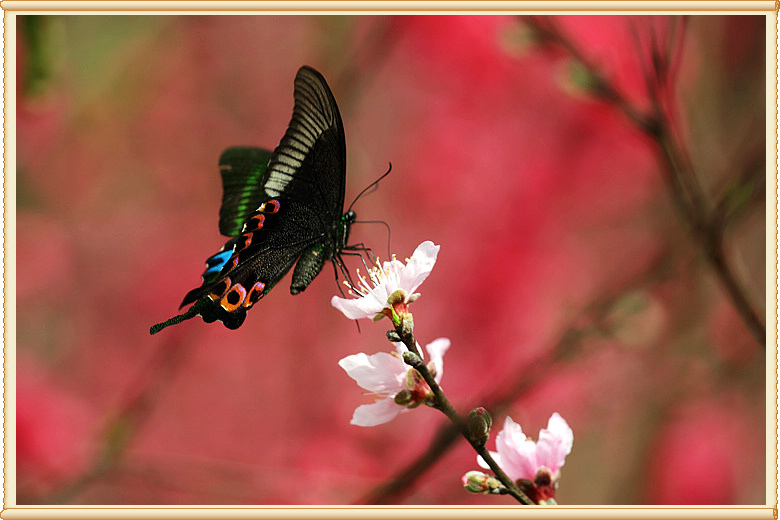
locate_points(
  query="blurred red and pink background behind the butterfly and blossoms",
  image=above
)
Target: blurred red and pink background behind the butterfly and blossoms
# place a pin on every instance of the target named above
(567, 280)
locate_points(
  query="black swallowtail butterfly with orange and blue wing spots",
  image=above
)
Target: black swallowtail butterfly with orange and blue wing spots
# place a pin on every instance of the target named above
(280, 208)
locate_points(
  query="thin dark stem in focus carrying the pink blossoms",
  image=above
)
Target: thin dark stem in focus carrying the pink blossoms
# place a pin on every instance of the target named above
(443, 404)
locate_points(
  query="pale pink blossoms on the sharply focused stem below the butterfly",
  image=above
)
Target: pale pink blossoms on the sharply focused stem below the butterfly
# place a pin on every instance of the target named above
(397, 388)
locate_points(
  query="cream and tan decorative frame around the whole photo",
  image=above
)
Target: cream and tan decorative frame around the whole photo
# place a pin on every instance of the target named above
(14, 8)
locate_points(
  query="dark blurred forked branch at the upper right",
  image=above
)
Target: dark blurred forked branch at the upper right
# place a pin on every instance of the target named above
(706, 222)
